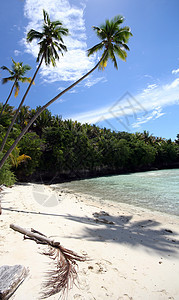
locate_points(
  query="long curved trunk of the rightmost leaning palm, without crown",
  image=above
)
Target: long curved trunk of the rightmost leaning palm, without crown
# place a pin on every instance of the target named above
(43, 108)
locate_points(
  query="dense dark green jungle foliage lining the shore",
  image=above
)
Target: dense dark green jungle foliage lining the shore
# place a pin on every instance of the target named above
(55, 150)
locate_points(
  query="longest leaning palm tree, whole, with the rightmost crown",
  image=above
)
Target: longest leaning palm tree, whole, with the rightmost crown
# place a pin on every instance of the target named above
(114, 41)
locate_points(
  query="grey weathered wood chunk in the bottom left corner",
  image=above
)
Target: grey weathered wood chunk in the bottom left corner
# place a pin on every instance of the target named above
(10, 278)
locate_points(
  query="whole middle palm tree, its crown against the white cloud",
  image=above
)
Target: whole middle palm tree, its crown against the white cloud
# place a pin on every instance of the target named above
(49, 39)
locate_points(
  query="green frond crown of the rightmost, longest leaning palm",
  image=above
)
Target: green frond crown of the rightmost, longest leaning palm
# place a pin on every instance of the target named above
(114, 41)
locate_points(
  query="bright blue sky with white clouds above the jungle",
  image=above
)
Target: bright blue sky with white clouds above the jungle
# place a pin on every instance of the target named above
(142, 95)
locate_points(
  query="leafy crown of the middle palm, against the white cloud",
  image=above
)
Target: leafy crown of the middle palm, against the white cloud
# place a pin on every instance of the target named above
(49, 39)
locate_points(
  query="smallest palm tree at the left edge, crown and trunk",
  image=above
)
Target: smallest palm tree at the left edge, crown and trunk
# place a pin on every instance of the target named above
(17, 75)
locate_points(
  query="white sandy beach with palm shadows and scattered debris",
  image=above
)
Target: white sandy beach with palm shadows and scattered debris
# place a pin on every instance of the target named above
(133, 252)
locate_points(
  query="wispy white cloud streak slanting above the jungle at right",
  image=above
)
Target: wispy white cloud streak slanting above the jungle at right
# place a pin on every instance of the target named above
(147, 104)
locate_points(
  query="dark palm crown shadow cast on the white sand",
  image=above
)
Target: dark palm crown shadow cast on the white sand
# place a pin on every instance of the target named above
(123, 230)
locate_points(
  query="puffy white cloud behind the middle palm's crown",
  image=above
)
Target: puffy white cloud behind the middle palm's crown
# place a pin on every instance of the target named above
(75, 62)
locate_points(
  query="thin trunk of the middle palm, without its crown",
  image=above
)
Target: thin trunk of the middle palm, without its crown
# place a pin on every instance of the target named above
(20, 105)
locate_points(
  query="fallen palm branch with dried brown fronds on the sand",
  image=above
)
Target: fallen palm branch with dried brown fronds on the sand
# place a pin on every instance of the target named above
(64, 272)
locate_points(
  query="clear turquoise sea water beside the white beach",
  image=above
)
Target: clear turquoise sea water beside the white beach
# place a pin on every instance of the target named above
(155, 190)
